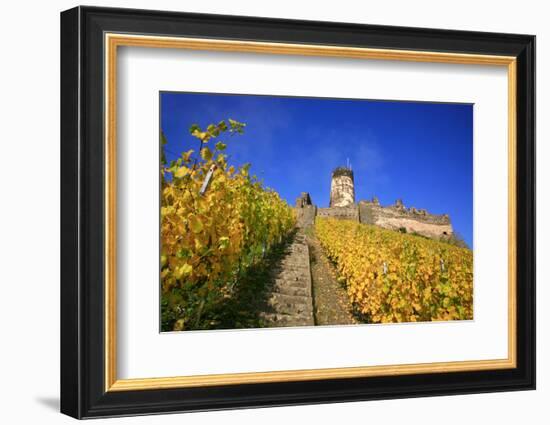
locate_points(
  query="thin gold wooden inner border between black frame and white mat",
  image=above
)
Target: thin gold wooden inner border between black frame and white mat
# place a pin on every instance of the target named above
(114, 40)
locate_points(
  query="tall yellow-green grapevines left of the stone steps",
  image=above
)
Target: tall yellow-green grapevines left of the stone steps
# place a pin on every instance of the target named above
(212, 232)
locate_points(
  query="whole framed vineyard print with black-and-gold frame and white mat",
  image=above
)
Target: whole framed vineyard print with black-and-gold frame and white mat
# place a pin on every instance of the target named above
(261, 212)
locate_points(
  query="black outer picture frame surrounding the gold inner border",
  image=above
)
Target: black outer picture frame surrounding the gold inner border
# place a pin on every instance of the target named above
(83, 392)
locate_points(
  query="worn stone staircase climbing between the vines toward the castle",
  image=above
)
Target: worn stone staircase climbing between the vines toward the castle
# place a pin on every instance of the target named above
(289, 300)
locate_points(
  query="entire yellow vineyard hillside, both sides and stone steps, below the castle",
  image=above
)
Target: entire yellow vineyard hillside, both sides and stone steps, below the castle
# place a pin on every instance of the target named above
(221, 233)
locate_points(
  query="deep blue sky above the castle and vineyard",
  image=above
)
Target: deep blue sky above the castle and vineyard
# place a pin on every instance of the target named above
(420, 152)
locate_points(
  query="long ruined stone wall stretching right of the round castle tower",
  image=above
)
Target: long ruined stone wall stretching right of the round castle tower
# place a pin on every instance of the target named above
(413, 221)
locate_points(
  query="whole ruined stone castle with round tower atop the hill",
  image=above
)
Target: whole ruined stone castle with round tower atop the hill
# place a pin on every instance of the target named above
(395, 217)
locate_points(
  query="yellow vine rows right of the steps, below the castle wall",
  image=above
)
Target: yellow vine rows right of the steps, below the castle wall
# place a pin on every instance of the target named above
(395, 277)
